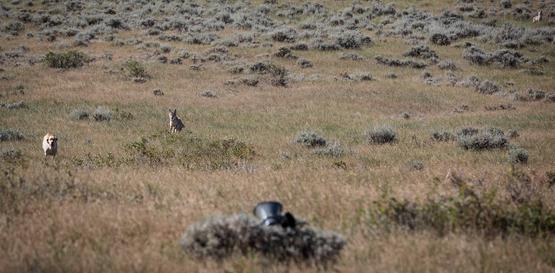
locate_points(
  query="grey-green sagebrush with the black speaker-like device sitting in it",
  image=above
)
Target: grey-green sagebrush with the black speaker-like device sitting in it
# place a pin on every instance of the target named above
(222, 237)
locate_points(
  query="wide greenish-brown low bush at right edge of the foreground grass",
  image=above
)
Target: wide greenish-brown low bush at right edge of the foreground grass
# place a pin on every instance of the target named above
(469, 211)
